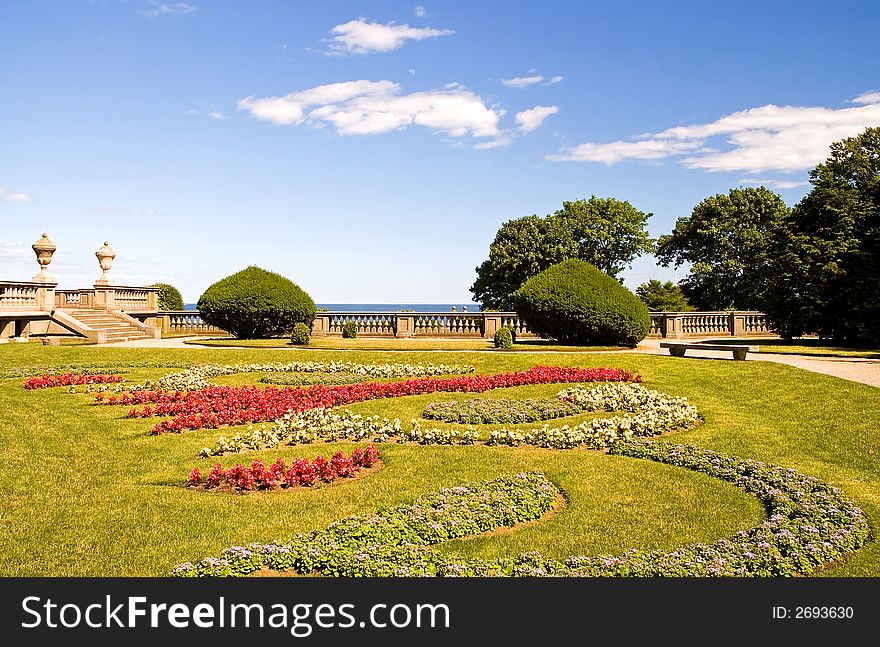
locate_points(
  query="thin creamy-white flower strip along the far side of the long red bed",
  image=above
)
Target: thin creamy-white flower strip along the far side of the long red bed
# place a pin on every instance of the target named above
(196, 377)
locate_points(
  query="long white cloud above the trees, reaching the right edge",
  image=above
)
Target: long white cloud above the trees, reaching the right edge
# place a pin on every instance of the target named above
(767, 138)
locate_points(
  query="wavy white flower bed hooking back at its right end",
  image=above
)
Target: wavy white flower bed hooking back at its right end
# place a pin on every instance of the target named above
(649, 413)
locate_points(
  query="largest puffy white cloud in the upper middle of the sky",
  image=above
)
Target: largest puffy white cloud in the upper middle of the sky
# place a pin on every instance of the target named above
(373, 107)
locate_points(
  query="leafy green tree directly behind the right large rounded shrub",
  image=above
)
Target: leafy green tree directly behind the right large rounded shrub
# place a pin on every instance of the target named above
(605, 232)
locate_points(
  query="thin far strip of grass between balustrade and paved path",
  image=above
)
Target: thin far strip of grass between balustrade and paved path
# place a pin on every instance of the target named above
(393, 344)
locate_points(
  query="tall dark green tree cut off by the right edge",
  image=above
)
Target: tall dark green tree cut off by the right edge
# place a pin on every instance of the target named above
(825, 270)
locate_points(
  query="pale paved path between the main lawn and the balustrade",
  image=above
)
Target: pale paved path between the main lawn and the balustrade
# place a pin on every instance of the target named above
(856, 369)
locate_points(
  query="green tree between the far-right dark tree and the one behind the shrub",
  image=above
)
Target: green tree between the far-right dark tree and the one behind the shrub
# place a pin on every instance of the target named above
(725, 239)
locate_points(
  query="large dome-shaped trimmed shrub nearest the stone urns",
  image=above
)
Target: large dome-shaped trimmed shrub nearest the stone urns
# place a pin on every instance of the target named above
(255, 303)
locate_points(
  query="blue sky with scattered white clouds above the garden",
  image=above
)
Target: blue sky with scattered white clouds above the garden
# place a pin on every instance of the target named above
(369, 151)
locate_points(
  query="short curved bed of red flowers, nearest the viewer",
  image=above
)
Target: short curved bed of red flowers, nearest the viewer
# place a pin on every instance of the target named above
(301, 472)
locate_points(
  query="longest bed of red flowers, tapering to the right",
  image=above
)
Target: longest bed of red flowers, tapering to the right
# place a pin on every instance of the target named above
(224, 405)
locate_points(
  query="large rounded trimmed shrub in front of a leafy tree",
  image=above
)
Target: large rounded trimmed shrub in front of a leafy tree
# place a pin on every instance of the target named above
(574, 302)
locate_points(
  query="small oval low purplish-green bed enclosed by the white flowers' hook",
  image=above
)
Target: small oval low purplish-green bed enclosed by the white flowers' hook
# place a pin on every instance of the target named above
(486, 411)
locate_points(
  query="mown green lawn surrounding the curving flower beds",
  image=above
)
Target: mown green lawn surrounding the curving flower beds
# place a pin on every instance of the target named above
(88, 492)
